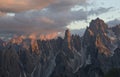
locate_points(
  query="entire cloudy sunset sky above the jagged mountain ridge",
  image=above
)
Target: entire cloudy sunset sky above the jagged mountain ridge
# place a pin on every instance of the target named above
(41, 16)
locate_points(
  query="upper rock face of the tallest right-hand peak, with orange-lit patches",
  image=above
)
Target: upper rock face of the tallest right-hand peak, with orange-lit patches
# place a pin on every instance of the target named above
(101, 36)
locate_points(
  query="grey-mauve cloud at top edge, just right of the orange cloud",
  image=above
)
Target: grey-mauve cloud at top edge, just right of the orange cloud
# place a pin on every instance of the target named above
(65, 5)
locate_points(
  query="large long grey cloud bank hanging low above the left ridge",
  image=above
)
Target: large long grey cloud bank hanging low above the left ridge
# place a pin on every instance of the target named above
(39, 21)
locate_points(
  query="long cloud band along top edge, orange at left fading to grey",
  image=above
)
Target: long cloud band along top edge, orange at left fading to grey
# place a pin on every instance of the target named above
(24, 5)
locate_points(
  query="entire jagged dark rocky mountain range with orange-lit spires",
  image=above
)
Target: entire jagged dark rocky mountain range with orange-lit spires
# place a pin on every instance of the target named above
(92, 55)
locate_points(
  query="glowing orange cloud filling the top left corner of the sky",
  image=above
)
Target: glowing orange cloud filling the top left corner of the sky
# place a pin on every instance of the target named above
(23, 5)
